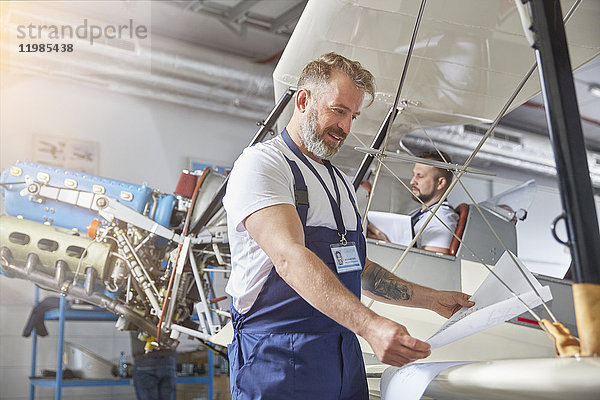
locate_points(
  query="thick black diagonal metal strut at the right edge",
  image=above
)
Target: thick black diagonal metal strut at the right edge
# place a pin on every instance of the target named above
(564, 124)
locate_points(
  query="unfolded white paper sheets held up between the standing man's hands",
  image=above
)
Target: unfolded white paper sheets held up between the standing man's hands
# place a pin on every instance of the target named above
(494, 304)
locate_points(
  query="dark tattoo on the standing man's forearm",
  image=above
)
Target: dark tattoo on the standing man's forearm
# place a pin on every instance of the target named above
(383, 283)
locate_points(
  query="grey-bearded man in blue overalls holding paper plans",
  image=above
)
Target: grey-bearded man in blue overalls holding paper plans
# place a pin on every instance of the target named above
(295, 313)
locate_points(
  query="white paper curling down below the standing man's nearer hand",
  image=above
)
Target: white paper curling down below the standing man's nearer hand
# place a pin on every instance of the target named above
(409, 382)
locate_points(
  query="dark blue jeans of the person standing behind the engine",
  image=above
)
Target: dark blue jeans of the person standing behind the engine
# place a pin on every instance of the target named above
(154, 378)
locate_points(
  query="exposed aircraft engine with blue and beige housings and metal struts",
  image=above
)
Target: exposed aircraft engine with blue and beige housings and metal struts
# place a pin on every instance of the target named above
(122, 247)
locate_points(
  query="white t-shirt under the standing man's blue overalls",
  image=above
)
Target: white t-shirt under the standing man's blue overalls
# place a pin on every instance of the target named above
(261, 177)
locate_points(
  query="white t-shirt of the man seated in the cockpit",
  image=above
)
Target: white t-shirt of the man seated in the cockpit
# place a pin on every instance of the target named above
(436, 234)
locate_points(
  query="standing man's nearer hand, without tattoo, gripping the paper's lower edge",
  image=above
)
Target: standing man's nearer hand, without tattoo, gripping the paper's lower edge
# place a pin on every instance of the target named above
(392, 344)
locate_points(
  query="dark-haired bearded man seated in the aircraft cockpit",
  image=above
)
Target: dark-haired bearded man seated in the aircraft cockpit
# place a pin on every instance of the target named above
(428, 184)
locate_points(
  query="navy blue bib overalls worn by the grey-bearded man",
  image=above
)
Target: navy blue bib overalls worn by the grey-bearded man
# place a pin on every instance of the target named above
(283, 348)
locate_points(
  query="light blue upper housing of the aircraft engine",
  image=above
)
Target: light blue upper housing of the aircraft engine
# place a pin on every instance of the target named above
(139, 198)
